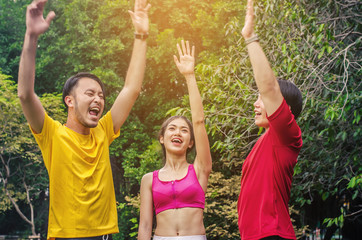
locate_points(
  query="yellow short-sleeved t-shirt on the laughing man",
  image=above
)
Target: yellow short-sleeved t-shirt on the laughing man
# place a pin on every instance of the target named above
(82, 201)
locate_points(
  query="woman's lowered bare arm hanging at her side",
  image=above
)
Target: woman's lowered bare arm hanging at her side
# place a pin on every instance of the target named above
(146, 209)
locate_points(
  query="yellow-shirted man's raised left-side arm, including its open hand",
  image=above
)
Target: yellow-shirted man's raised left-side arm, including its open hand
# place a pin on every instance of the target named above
(35, 26)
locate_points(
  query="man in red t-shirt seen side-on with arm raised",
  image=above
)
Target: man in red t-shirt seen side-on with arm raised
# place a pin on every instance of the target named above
(267, 171)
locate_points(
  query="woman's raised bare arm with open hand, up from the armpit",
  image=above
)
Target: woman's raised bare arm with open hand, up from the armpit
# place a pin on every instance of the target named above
(186, 65)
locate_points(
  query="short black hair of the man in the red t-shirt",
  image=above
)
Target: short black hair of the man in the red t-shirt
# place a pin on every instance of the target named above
(292, 96)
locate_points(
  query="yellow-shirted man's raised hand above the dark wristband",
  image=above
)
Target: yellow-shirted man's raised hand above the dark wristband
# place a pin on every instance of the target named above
(140, 16)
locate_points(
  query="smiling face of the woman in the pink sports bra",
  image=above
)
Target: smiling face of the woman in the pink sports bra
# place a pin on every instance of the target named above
(177, 137)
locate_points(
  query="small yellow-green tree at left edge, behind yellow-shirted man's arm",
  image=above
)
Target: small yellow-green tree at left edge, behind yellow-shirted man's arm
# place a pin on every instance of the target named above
(23, 176)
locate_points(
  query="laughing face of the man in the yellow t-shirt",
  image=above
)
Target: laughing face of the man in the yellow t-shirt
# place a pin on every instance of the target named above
(86, 102)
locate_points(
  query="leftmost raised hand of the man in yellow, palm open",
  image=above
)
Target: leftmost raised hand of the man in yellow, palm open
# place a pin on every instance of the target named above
(35, 22)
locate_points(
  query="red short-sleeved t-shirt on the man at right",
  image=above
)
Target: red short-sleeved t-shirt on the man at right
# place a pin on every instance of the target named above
(267, 177)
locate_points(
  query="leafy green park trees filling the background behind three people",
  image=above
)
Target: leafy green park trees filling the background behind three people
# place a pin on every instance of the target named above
(314, 43)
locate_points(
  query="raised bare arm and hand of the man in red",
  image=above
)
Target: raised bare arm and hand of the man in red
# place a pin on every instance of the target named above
(264, 76)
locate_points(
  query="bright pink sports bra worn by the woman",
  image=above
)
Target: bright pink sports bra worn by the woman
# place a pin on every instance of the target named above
(185, 192)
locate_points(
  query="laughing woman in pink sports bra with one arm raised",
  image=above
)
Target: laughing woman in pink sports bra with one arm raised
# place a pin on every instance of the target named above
(176, 192)
